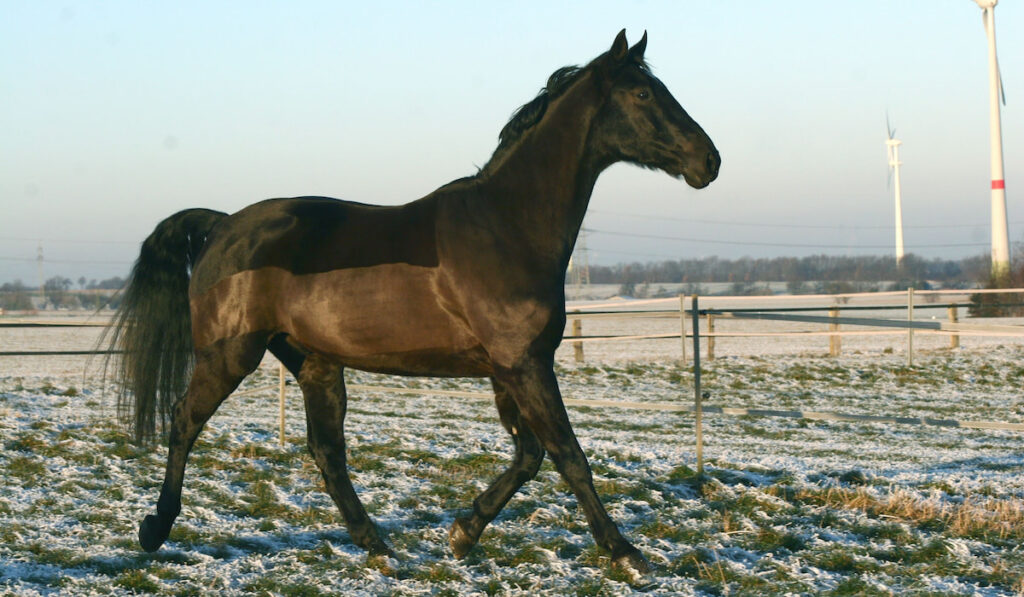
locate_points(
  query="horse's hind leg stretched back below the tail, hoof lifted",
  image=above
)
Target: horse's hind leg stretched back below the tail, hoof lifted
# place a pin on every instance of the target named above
(219, 371)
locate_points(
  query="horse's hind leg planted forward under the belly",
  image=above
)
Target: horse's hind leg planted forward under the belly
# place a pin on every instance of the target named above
(323, 387)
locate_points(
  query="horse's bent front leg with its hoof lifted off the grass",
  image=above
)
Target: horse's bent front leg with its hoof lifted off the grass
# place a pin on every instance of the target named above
(529, 456)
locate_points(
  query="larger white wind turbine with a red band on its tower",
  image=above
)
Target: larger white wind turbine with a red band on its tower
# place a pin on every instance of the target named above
(1001, 233)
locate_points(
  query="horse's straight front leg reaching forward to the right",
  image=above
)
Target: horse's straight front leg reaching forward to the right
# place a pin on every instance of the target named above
(535, 390)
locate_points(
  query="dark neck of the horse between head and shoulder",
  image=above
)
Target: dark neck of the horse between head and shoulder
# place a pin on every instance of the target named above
(543, 187)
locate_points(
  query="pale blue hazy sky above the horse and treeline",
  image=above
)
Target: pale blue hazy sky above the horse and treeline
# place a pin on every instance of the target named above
(118, 114)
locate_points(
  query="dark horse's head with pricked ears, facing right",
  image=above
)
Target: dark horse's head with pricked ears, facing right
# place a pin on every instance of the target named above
(644, 124)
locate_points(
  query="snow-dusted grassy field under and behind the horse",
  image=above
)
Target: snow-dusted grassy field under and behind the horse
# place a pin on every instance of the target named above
(789, 505)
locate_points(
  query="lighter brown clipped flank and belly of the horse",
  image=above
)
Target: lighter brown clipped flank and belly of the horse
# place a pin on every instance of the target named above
(390, 318)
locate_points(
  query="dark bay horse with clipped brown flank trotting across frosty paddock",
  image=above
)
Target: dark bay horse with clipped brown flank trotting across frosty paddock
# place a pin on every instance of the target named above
(467, 281)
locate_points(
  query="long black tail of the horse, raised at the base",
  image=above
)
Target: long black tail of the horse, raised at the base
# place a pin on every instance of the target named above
(153, 325)
